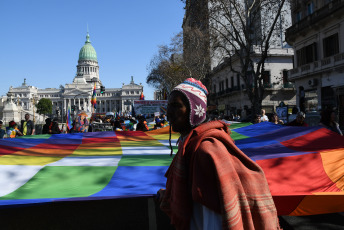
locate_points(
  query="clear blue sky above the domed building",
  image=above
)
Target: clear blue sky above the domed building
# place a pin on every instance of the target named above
(41, 39)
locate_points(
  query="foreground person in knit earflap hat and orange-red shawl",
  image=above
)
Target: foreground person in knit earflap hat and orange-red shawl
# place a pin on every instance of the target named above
(211, 184)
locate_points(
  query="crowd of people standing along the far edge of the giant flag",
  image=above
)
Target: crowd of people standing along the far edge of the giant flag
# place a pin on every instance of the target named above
(81, 123)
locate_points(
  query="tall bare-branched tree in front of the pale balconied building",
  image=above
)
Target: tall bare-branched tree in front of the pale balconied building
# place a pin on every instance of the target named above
(241, 34)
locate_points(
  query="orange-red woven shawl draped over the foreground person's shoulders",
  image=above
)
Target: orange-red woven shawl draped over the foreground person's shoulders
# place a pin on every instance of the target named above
(209, 169)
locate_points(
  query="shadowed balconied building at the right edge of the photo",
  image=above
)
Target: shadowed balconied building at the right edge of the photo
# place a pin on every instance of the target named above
(317, 37)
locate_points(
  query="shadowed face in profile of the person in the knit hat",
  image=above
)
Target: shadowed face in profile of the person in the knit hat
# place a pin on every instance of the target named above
(178, 112)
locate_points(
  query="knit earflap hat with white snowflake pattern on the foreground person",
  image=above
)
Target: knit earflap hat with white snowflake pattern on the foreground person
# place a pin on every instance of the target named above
(196, 93)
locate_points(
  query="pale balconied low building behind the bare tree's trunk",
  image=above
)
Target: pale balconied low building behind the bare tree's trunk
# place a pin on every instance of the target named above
(229, 92)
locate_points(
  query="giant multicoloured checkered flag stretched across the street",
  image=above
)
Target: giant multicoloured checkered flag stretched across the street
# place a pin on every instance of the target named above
(304, 166)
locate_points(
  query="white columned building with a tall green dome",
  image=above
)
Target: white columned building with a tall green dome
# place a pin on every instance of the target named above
(79, 92)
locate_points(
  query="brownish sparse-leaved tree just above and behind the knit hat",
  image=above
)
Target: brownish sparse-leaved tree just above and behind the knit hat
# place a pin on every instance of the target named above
(171, 66)
